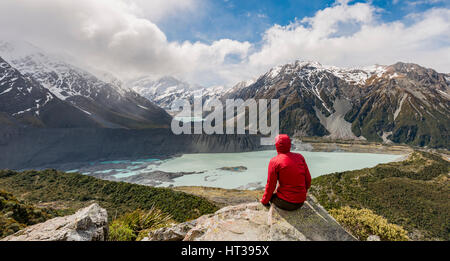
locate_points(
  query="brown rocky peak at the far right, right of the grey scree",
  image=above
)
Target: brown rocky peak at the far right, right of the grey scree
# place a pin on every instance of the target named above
(407, 104)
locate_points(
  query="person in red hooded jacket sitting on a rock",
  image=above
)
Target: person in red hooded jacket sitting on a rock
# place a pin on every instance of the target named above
(292, 174)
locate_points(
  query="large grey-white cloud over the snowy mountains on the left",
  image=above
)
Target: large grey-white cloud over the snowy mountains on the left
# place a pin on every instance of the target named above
(112, 35)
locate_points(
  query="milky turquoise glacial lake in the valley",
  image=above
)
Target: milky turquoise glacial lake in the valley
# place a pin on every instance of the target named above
(253, 177)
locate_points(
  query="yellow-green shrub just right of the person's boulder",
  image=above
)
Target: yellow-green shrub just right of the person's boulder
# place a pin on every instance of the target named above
(363, 223)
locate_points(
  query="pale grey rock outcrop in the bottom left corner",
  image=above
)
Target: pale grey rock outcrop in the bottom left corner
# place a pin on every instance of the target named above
(87, 224)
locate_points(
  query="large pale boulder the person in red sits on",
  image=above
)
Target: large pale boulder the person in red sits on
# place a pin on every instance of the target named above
(254, 222)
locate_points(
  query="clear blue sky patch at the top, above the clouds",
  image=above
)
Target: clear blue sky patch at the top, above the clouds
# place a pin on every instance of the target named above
(246, 20)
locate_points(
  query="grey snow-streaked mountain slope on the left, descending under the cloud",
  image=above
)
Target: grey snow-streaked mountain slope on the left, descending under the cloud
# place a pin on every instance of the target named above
(105, 101)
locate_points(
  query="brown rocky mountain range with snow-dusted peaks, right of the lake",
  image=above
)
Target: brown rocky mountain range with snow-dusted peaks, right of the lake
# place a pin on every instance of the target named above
(403, 103)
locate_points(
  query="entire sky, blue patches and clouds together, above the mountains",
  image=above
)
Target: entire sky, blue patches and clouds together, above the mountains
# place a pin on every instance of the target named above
(223, 42)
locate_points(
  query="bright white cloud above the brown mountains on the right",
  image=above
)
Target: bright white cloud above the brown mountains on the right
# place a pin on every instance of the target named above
(323, 38)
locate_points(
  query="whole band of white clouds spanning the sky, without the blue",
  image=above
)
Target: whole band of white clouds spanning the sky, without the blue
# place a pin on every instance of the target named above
(121, 36)
